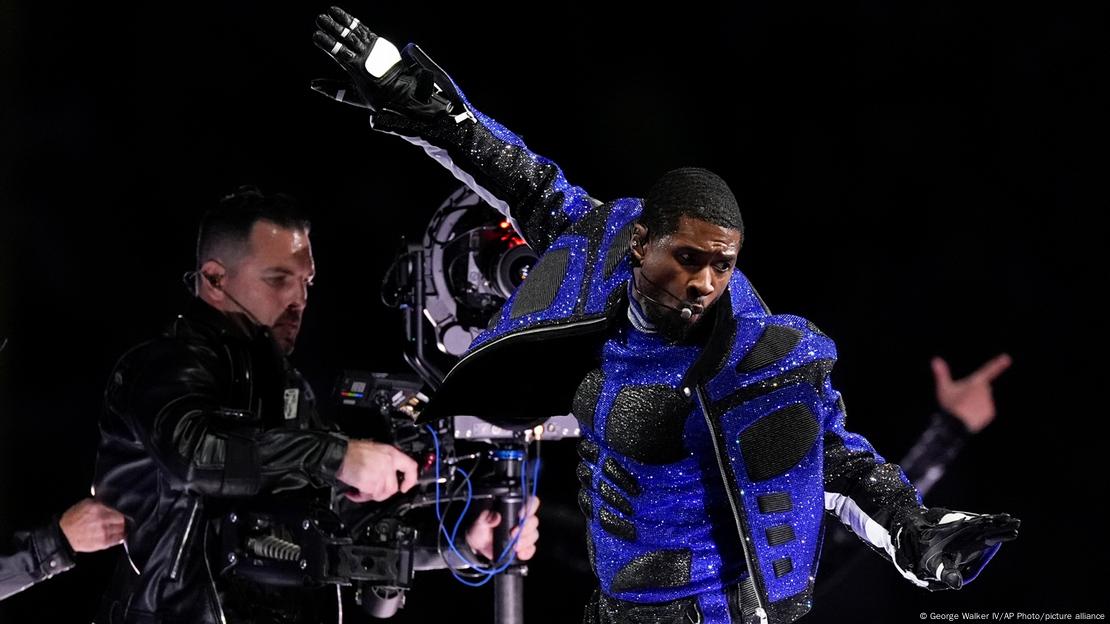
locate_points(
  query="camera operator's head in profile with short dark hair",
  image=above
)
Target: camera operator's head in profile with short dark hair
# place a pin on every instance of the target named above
(255, 259)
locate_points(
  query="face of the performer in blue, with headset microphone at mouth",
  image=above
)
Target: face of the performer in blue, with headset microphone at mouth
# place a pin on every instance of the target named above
(694, 264)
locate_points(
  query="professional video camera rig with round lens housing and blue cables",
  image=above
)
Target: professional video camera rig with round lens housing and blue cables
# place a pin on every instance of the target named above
(469, 265)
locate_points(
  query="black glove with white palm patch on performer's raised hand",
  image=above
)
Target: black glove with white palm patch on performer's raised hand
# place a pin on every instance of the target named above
(382, 78)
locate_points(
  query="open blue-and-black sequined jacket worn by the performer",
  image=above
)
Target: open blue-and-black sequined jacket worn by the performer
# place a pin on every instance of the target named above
(774, 425)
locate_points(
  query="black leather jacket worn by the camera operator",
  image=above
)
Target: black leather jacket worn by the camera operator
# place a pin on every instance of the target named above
(206, 416)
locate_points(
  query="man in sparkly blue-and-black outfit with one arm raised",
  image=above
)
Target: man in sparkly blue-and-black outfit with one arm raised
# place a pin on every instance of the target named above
(713, 440)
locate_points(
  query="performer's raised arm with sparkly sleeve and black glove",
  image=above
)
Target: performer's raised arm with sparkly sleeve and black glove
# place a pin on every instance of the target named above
(410, 96)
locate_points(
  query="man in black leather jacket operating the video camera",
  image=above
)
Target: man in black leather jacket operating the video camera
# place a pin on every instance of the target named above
(213, 415)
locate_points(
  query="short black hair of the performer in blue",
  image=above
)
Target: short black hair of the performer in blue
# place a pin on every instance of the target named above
(690, 192)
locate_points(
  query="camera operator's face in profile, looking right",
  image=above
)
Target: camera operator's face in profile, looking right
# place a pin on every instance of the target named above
(273, 280)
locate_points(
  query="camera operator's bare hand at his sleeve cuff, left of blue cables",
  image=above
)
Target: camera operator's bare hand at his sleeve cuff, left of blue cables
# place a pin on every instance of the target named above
(376, 471)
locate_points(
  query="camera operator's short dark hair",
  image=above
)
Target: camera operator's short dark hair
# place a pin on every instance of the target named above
(226, 229)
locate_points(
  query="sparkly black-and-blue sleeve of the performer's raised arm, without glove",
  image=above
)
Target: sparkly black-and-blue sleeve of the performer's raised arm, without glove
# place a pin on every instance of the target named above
(529, 189)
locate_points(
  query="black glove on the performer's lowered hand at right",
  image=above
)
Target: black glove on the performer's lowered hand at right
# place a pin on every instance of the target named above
(951, 548)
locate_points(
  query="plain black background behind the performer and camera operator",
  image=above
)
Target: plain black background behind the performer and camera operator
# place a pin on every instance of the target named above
(919, 179)
